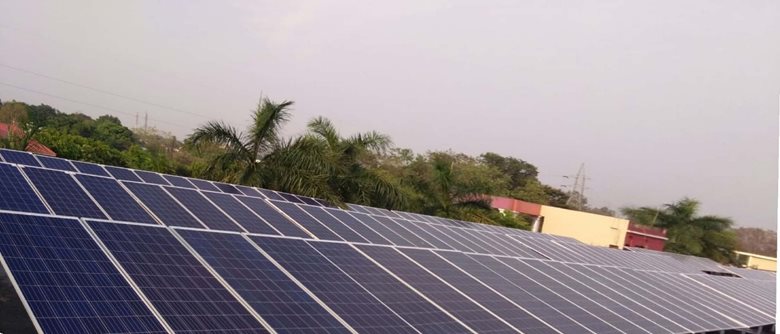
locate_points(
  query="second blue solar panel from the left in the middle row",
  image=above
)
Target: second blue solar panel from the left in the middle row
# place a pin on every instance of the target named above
(63, 193)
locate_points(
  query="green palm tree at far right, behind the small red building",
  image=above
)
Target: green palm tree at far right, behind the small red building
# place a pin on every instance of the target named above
(688, 233)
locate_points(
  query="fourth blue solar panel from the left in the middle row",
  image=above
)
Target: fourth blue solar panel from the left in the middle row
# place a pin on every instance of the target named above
(163, 205)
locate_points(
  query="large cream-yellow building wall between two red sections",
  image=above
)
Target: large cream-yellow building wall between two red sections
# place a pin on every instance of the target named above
(589, 228)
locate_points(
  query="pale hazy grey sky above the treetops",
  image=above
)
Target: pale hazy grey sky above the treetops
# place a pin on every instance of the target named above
(659, 99)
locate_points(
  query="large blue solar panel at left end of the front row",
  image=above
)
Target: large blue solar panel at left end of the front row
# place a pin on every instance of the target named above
(68, 282)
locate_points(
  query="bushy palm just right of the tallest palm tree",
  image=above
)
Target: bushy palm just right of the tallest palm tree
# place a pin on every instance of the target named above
(351, 165)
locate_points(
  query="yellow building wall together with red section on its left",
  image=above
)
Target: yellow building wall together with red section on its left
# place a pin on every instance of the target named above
(589, 228)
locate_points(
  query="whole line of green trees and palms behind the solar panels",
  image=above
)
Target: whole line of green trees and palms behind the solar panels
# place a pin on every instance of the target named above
(363, 168)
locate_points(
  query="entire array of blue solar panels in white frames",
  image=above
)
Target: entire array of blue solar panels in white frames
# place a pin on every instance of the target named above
(98, 249)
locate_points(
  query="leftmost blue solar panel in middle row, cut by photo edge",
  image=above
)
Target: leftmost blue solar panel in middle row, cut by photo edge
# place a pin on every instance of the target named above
(24, 197)
